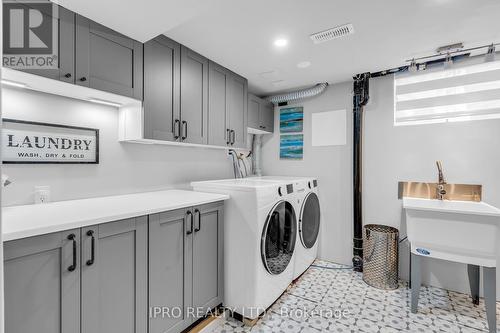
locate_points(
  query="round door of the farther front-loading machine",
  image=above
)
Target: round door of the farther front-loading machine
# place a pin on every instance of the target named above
(309, 220)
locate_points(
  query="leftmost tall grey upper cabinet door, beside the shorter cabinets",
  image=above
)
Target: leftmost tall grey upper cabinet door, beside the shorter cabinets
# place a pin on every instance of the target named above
(162, 89)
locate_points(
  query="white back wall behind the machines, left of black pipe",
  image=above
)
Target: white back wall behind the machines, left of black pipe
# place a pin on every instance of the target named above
(331, 165)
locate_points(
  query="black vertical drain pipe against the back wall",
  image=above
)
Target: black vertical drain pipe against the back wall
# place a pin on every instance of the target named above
(360, 98)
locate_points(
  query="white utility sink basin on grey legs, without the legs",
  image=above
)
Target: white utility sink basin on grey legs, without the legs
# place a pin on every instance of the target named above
(460, 231)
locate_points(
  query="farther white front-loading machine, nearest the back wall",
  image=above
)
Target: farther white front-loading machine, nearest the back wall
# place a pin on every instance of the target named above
(309, 219)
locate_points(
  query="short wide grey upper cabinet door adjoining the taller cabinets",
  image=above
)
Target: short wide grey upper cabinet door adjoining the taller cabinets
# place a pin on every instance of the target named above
(107, 60)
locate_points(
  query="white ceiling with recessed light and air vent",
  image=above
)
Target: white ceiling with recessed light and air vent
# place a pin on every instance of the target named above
(239, 34)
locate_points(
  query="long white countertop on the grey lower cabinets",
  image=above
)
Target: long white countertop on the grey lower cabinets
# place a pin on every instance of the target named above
(31, 220)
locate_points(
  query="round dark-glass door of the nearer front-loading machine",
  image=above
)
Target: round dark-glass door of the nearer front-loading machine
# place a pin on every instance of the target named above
(278, 237)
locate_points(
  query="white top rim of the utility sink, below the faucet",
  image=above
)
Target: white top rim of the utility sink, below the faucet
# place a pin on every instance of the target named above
(449, 206)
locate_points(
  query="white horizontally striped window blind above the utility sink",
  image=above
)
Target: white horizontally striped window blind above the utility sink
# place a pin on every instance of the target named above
(467, 91)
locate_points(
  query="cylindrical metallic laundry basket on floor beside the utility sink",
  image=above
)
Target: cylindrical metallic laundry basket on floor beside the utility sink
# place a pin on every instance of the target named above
(380, 256)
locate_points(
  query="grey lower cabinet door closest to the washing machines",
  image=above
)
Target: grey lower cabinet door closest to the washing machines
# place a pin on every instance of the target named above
(208, 256)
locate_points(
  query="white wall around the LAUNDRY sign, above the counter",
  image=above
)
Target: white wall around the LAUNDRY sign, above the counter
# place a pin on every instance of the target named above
(123, 167)
